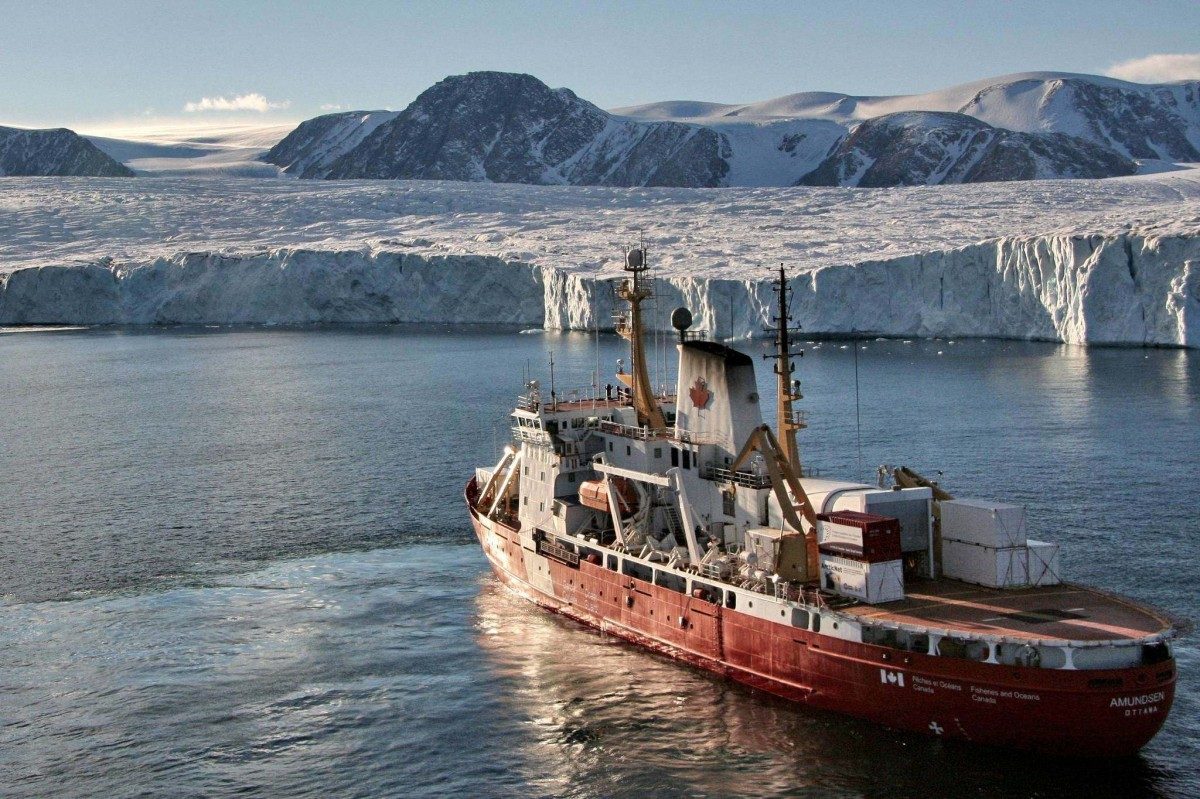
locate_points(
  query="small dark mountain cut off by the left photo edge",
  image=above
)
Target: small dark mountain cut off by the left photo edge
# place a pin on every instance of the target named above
(55, 153)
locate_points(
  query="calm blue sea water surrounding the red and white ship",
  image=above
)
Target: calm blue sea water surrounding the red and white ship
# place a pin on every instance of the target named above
(237, 563)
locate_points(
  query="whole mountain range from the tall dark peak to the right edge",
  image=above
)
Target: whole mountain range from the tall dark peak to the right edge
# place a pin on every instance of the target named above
(503, 128)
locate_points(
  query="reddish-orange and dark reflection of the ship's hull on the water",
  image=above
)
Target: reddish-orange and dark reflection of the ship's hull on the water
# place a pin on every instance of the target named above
(611, 720)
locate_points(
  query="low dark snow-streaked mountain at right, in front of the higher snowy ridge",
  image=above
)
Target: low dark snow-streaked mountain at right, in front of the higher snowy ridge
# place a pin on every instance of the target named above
(931, 148)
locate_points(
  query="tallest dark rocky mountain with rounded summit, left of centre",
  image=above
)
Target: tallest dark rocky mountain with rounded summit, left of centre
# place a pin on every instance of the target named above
(503, 128)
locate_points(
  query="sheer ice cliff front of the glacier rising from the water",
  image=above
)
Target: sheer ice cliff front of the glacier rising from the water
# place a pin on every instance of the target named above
(1100, 290)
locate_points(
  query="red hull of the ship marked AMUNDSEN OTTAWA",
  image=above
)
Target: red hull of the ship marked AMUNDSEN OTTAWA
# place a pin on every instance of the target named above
(1069, 713)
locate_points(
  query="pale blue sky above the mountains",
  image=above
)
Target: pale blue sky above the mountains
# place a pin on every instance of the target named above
(106, 63)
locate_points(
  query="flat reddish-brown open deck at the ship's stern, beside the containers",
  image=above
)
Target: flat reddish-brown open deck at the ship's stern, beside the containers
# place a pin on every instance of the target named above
(1063, 612)
